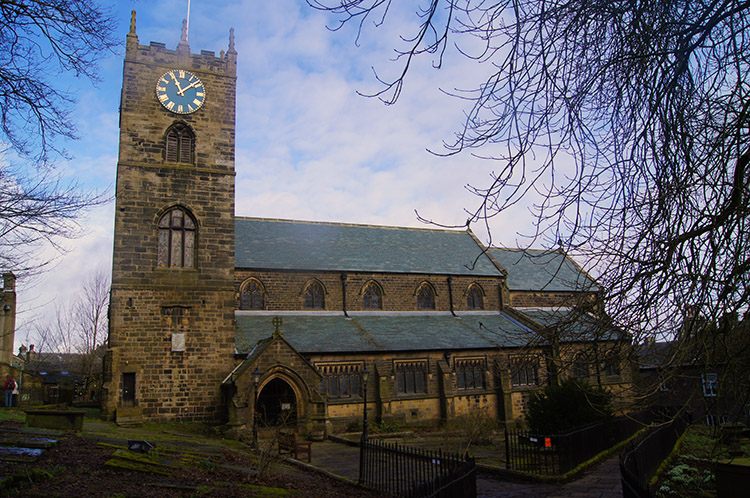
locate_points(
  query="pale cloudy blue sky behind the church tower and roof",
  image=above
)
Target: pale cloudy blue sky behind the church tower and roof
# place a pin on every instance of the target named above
(308, 146)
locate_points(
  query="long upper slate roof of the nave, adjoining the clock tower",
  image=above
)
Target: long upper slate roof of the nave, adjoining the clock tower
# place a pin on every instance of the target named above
(296, 245)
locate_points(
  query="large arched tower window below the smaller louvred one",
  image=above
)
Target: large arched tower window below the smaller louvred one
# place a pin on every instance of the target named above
(177, 234)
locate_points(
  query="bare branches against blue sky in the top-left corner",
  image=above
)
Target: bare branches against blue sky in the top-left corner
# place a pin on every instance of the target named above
(40, 40)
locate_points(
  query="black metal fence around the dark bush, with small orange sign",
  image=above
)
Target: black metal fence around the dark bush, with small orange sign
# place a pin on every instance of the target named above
(557, 454)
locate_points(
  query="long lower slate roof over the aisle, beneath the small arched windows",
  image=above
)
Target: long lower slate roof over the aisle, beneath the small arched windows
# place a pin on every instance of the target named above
(317, 333)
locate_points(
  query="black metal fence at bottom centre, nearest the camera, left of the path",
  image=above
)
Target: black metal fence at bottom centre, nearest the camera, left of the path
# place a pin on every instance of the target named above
(416, 473)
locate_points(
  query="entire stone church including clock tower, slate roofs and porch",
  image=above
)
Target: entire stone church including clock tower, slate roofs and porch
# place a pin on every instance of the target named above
(241, 320)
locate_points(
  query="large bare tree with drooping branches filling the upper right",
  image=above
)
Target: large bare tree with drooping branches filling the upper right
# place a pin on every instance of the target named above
(625, 126)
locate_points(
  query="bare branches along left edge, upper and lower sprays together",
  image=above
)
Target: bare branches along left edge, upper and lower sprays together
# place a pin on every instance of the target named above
(40, 41)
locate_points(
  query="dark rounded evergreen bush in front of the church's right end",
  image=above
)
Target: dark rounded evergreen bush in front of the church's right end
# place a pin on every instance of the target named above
(559, 408)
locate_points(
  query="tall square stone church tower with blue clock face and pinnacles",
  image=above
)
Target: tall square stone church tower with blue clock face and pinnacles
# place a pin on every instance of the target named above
(171, 338)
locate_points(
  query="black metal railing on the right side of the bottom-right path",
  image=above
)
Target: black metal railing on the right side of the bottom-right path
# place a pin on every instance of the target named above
(641, 459)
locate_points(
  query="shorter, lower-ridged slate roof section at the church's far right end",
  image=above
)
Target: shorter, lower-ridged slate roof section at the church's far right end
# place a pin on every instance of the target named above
(536, 270)
